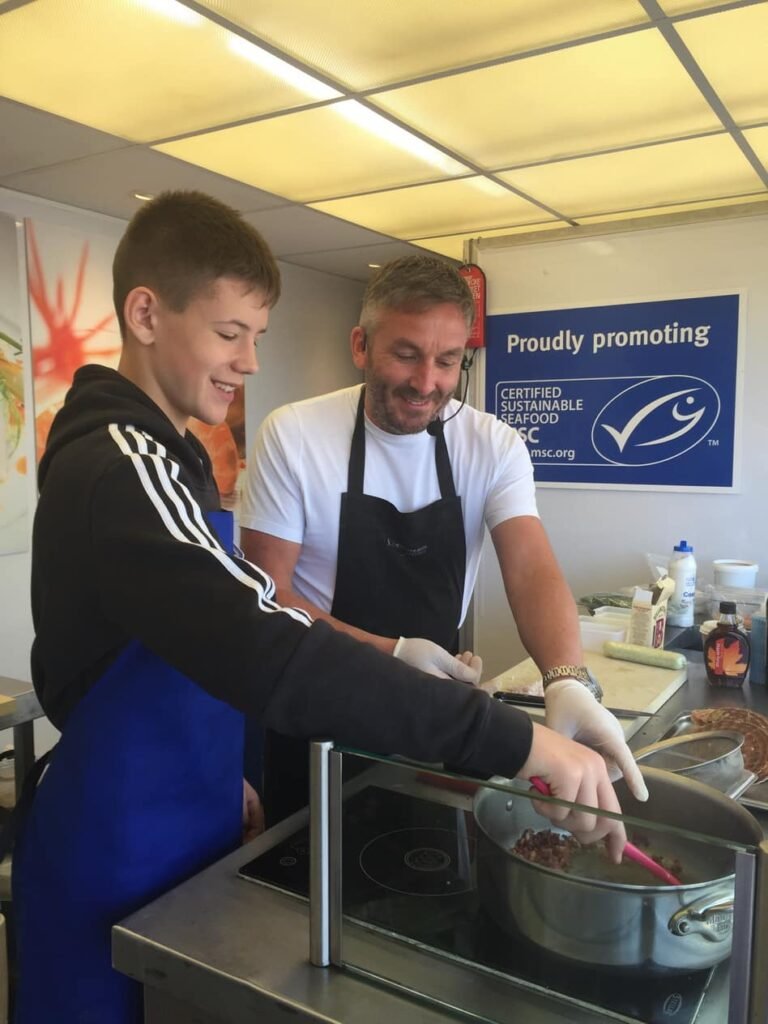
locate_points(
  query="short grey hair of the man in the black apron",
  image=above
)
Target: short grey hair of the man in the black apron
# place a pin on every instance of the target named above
(415, 284)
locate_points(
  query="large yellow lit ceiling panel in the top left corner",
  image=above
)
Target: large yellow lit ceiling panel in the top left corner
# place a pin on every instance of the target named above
(141, 69)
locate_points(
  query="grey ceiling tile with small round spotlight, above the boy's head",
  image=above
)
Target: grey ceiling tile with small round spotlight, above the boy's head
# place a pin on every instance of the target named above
(108, 183)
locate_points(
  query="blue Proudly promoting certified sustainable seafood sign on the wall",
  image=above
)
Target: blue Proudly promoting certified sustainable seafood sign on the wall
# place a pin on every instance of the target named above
(643, 394)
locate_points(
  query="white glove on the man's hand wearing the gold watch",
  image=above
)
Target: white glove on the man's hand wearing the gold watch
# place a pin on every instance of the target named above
(574, 712)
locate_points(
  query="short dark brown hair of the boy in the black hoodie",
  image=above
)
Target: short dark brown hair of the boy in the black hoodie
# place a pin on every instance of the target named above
(181, 242)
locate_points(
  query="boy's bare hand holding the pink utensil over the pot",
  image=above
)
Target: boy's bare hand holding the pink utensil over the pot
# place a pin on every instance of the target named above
(576, 774)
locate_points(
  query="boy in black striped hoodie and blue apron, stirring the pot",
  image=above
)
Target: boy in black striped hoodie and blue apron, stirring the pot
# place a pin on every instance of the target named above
(152, 638)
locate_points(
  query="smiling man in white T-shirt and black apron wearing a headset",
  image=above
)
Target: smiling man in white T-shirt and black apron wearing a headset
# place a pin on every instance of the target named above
(368, 508)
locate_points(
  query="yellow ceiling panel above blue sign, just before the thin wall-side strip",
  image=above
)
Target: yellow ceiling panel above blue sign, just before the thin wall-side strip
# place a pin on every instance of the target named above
(676, 173)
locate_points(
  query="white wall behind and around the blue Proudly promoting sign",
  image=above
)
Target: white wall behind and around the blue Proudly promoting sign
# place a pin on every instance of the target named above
(601, 537)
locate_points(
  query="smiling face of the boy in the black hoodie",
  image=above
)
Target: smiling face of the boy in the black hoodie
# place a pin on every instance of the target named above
(200, 357)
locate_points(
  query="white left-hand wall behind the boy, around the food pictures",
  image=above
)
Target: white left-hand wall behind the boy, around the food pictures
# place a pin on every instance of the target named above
(306, 353)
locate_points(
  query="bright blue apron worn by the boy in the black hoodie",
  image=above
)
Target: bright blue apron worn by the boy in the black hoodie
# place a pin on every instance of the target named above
(144, 790)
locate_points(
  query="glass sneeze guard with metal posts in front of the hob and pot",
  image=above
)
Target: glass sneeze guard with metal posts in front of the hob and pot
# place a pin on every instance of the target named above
(415, 884)
